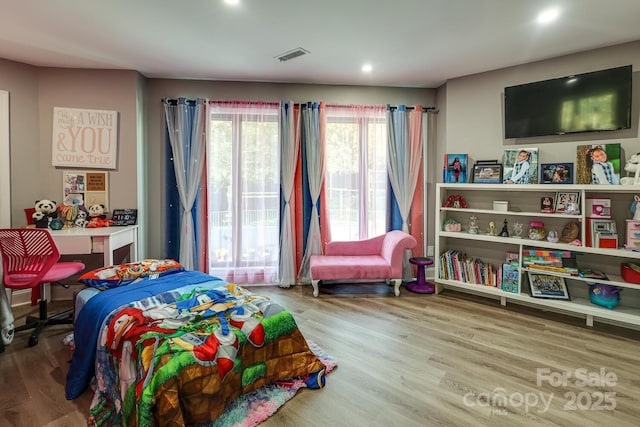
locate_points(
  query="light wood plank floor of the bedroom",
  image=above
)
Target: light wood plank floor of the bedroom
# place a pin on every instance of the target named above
(413, 360)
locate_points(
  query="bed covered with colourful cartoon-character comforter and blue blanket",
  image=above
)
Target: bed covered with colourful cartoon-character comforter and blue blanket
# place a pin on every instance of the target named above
(179, 348)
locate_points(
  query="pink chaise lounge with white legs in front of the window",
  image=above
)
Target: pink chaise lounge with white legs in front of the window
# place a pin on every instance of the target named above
(376, 258)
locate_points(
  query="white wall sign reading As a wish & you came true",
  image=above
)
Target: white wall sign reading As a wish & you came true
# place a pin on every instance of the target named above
(84, 138)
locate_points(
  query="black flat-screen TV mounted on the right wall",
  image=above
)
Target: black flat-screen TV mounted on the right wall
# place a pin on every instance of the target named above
(589, 102)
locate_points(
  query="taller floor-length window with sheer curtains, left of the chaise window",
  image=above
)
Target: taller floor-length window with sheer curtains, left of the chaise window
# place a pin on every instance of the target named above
(243, 181)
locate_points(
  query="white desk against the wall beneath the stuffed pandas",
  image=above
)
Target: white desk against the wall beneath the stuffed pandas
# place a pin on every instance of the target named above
(104, 240)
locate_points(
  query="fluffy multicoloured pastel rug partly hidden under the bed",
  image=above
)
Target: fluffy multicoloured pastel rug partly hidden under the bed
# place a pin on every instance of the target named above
(252, 408)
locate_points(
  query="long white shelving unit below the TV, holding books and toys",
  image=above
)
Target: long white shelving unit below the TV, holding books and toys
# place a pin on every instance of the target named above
(524, 207)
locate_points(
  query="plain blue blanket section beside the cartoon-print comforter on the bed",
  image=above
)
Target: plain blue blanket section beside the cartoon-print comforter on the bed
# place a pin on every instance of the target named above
(90, 319)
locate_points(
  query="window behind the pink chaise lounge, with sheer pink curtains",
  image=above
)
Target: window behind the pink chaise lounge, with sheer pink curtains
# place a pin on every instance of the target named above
(356, 165)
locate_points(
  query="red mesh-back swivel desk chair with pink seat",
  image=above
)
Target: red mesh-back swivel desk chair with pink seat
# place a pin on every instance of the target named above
(29, 259)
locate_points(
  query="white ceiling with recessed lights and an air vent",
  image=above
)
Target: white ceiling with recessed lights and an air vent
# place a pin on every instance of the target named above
(409, 43)
